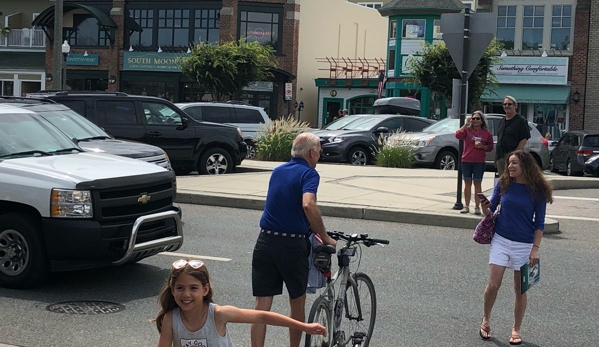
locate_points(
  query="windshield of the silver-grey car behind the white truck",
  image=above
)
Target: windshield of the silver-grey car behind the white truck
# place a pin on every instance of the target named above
(74, 125)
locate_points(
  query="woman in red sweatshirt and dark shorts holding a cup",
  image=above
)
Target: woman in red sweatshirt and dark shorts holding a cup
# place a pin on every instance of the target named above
(478, 140)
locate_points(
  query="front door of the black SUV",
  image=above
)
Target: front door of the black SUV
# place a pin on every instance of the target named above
(165, 128)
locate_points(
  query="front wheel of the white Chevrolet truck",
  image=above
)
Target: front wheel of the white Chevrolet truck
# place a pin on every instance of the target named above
(24, 262)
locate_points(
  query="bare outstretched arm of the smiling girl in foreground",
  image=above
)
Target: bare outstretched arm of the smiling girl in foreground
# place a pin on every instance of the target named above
(232, 314)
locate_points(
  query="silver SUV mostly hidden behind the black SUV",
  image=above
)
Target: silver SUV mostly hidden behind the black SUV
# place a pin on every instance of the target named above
(249, 119)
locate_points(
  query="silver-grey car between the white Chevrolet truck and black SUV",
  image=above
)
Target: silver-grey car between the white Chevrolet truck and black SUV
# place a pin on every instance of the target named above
(90, 137)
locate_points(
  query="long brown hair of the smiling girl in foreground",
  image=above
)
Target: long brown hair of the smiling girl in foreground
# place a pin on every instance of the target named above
(166, 299)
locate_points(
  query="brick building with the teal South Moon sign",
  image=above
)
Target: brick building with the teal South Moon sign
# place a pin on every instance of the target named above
(130, 45)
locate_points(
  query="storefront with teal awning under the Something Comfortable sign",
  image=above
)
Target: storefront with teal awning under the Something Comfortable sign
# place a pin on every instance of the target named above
(540, 84)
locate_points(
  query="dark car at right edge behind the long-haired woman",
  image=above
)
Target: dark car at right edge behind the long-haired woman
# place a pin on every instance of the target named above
(573, 149)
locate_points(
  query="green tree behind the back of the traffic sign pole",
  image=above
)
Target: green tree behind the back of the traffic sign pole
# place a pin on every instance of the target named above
(436, 71)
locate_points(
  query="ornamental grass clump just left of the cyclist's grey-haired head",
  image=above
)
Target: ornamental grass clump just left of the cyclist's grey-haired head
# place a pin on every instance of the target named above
(274, 141)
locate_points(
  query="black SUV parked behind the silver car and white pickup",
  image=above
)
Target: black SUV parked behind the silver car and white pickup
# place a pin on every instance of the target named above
(208, 148)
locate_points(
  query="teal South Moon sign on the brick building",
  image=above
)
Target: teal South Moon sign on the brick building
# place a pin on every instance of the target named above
(144, 61)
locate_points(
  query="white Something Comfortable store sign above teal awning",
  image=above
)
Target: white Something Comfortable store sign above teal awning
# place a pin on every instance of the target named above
(532, 70)
